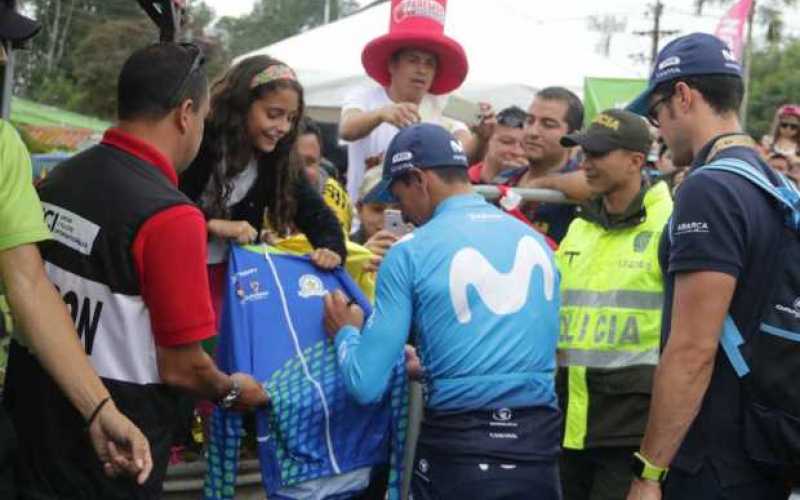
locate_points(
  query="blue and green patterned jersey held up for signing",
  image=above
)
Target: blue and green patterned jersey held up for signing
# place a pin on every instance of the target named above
(272, 328)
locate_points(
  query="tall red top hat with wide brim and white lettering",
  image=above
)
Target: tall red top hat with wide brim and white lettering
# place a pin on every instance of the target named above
(418, 24)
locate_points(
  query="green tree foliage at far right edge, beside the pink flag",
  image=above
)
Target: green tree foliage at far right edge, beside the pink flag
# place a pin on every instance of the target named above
(774, 81)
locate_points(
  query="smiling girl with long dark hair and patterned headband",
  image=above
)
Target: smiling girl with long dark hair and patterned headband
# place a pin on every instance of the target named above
(248, 171)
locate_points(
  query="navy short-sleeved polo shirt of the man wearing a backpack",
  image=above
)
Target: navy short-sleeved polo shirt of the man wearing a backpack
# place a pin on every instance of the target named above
(723, 223)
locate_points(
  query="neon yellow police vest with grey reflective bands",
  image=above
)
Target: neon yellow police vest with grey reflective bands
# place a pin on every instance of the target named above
(608, 346)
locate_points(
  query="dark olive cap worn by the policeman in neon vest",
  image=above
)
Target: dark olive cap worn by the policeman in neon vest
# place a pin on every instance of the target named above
(612, 129)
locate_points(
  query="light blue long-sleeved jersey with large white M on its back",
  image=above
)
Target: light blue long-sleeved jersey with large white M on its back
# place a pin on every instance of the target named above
(478, 291)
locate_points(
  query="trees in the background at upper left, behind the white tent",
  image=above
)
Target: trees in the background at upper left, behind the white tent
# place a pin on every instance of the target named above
(74, 62)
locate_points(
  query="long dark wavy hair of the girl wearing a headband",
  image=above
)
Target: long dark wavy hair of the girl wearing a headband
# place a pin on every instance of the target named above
(226, 148)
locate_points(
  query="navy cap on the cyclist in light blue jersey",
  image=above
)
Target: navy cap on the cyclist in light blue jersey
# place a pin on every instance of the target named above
(422, 146)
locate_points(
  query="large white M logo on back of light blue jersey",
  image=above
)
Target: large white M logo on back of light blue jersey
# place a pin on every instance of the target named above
(502, 293)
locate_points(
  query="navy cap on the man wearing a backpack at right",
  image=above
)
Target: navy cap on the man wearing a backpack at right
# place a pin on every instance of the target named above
(695, 54)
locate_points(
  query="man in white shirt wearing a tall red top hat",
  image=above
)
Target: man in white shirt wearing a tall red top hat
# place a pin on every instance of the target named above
(414, 63)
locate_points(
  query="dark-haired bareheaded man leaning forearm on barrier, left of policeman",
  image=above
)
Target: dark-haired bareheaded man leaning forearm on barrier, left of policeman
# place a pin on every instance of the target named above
(554, 112)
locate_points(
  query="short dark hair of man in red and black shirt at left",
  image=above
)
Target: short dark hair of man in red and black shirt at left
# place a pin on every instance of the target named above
(159, 78)
